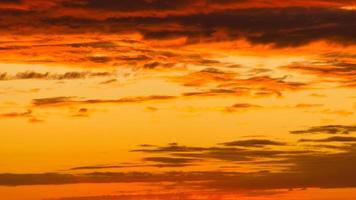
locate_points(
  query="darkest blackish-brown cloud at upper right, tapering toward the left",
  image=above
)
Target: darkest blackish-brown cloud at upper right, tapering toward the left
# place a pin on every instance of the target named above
(290, 27)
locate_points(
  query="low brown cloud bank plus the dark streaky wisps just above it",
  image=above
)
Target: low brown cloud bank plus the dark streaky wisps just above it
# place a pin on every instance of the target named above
(301, 168)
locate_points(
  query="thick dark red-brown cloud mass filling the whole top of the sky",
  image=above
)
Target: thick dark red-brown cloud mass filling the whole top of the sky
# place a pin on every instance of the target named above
(293, 25)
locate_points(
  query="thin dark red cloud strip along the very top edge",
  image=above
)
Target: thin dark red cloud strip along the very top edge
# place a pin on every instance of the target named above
(183, 5)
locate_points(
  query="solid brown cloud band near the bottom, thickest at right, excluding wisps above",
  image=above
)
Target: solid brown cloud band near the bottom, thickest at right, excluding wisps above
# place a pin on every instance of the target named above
(312, 171)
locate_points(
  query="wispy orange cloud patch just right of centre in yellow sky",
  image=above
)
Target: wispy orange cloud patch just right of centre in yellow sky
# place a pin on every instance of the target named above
(229, 84)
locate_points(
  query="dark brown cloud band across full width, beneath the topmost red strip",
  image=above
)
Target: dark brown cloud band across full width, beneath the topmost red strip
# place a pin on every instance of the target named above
(281, 27)
